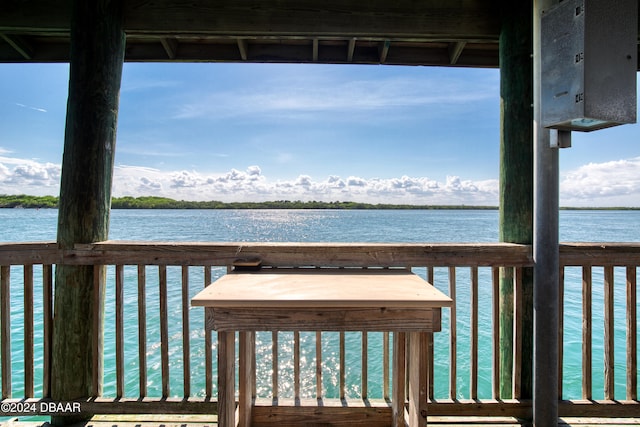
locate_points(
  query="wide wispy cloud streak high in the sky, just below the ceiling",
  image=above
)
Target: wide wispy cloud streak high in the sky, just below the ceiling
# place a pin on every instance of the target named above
(299, 96)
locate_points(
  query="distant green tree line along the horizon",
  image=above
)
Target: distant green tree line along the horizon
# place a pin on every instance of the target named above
(151, 202)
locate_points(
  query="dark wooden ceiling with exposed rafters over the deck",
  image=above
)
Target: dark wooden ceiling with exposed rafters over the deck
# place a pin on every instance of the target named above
(403, 32)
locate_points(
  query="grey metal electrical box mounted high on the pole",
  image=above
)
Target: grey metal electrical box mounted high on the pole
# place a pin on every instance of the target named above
(589, 64)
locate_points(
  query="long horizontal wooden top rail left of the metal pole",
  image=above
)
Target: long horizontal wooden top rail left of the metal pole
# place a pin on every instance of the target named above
(278, 254)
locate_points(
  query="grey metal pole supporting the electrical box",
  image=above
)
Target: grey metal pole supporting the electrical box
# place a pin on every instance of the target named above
(545, 250)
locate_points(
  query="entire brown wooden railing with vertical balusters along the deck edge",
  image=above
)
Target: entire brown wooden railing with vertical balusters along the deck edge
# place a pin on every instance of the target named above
(152, 283)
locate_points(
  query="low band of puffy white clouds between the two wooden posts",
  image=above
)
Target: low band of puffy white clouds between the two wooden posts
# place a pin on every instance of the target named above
(251, 185)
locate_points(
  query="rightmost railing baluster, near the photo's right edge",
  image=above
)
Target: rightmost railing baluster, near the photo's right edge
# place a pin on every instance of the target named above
(632, 337)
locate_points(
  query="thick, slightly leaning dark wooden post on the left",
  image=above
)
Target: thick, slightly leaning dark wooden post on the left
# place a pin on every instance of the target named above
(97, 55)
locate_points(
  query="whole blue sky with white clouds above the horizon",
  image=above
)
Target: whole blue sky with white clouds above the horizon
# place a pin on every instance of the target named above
(251, 132)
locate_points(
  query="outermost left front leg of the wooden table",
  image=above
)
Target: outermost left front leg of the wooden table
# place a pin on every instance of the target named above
(226, 379)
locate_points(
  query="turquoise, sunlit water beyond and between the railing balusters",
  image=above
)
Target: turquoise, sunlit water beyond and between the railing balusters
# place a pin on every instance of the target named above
(326, 226)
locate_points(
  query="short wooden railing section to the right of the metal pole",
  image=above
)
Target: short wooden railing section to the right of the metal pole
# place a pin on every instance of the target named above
(608, 276)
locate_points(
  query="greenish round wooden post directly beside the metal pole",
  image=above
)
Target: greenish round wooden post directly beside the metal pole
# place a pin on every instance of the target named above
(516, 180)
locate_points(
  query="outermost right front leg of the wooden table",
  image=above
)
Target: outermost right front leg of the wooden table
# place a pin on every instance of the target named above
(417, 379)
